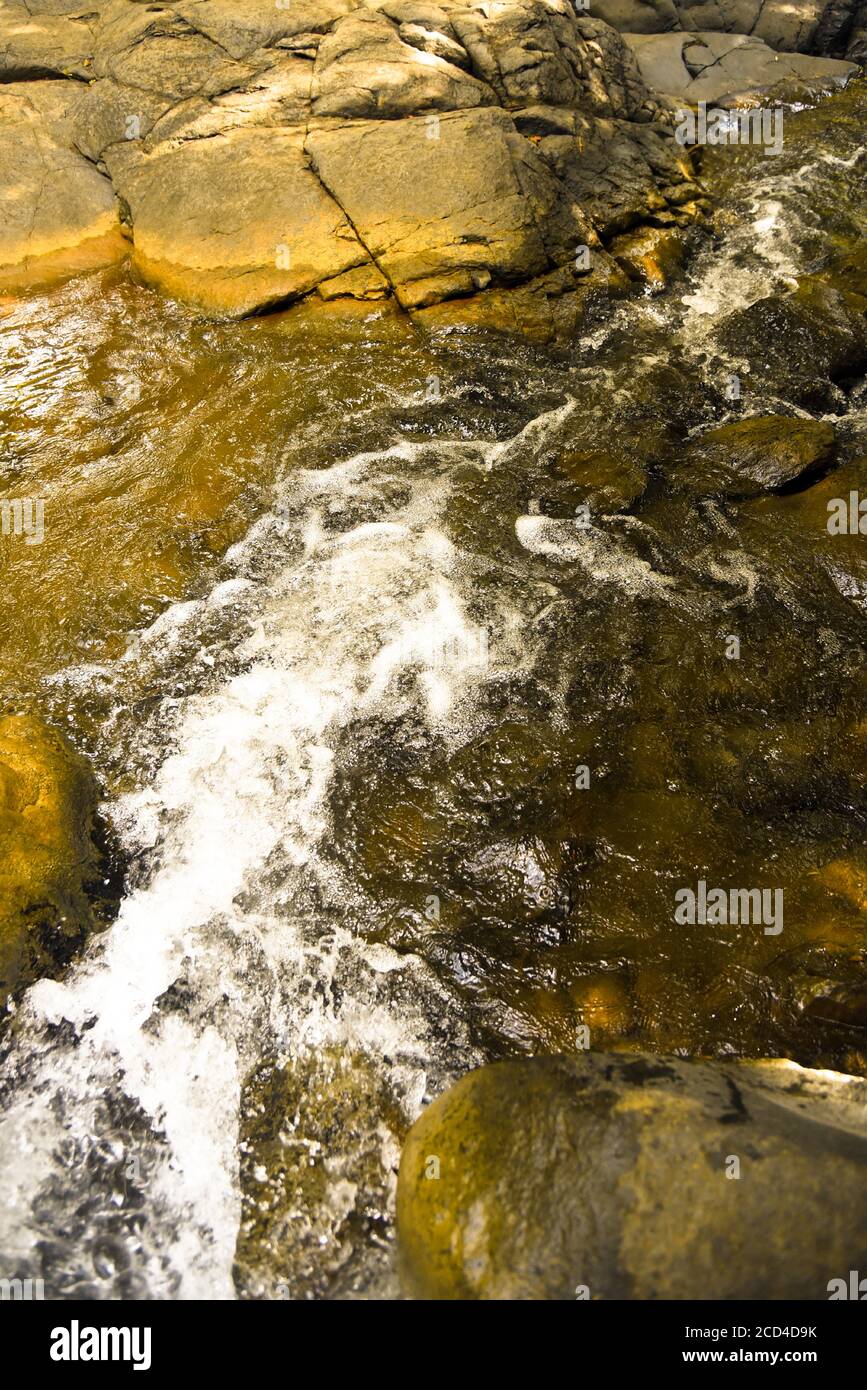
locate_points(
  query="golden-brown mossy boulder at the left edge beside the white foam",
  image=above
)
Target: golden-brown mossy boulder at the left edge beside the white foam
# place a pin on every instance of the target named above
(48, 857)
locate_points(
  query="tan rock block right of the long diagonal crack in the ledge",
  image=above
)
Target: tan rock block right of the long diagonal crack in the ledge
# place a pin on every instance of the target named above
(452, 215)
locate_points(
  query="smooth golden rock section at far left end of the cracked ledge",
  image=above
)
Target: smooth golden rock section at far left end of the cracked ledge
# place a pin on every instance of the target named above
(59, 213)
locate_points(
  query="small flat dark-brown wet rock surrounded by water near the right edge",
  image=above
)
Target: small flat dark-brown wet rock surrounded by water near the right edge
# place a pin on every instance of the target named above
(759, 455)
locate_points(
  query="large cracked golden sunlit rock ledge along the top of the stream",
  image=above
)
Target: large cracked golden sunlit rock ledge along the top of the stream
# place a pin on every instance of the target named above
(463, 162)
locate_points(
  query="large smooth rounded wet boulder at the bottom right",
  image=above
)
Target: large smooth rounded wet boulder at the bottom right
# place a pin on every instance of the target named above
(612, 1177)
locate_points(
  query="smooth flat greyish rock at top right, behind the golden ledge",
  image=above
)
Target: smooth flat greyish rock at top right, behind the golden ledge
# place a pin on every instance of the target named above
(722, 67)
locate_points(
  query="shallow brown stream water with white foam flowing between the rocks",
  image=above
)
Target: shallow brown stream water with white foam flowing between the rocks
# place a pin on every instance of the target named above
(315, 601)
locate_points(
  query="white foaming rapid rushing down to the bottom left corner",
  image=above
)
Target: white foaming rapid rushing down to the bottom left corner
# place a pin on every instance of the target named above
(238, 897)
